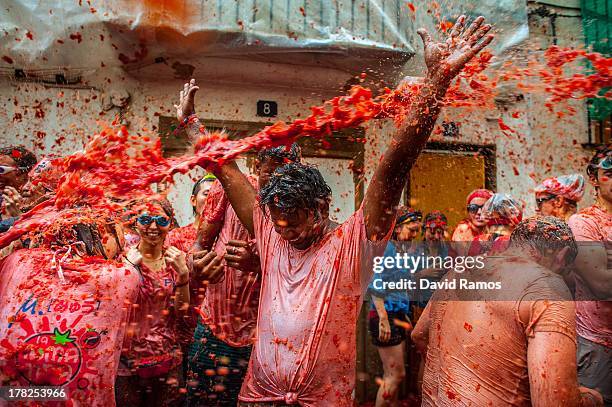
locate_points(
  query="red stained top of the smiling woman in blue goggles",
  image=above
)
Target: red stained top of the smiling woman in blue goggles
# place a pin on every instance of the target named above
(152, 329)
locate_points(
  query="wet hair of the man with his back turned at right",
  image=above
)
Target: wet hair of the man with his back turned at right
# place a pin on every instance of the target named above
(545, 233)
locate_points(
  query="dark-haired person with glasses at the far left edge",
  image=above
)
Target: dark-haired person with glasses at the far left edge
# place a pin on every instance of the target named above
(15, 163)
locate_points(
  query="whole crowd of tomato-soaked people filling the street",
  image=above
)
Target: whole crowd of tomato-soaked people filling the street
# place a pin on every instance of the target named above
(256, 302)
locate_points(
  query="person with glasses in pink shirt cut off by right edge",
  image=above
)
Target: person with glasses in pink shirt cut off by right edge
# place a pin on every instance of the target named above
(592, 228)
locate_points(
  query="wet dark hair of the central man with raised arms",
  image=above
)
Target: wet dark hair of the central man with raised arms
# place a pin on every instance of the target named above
(295, 186)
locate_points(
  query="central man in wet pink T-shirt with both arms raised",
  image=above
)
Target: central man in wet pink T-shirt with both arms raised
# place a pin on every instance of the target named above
(315, 273)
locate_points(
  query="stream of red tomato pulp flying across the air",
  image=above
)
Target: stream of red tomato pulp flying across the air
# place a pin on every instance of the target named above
(117, 168)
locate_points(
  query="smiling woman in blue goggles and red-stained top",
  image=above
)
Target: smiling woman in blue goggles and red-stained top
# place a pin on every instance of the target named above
(149, 371)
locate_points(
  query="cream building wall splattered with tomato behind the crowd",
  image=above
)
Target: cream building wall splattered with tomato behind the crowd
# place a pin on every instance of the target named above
(60, 120)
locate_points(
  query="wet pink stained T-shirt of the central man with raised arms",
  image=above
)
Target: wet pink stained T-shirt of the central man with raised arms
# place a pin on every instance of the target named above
(309, 305)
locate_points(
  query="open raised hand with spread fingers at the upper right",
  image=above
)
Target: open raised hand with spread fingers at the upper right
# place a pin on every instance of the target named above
(445, 60)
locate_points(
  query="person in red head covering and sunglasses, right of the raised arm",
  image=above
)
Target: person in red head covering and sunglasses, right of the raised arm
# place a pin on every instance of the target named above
(472, 226)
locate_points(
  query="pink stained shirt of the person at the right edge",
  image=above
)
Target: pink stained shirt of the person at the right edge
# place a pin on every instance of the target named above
(593, 318)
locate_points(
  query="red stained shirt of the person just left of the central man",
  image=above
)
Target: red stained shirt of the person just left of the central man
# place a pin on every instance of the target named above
(229, 307)
